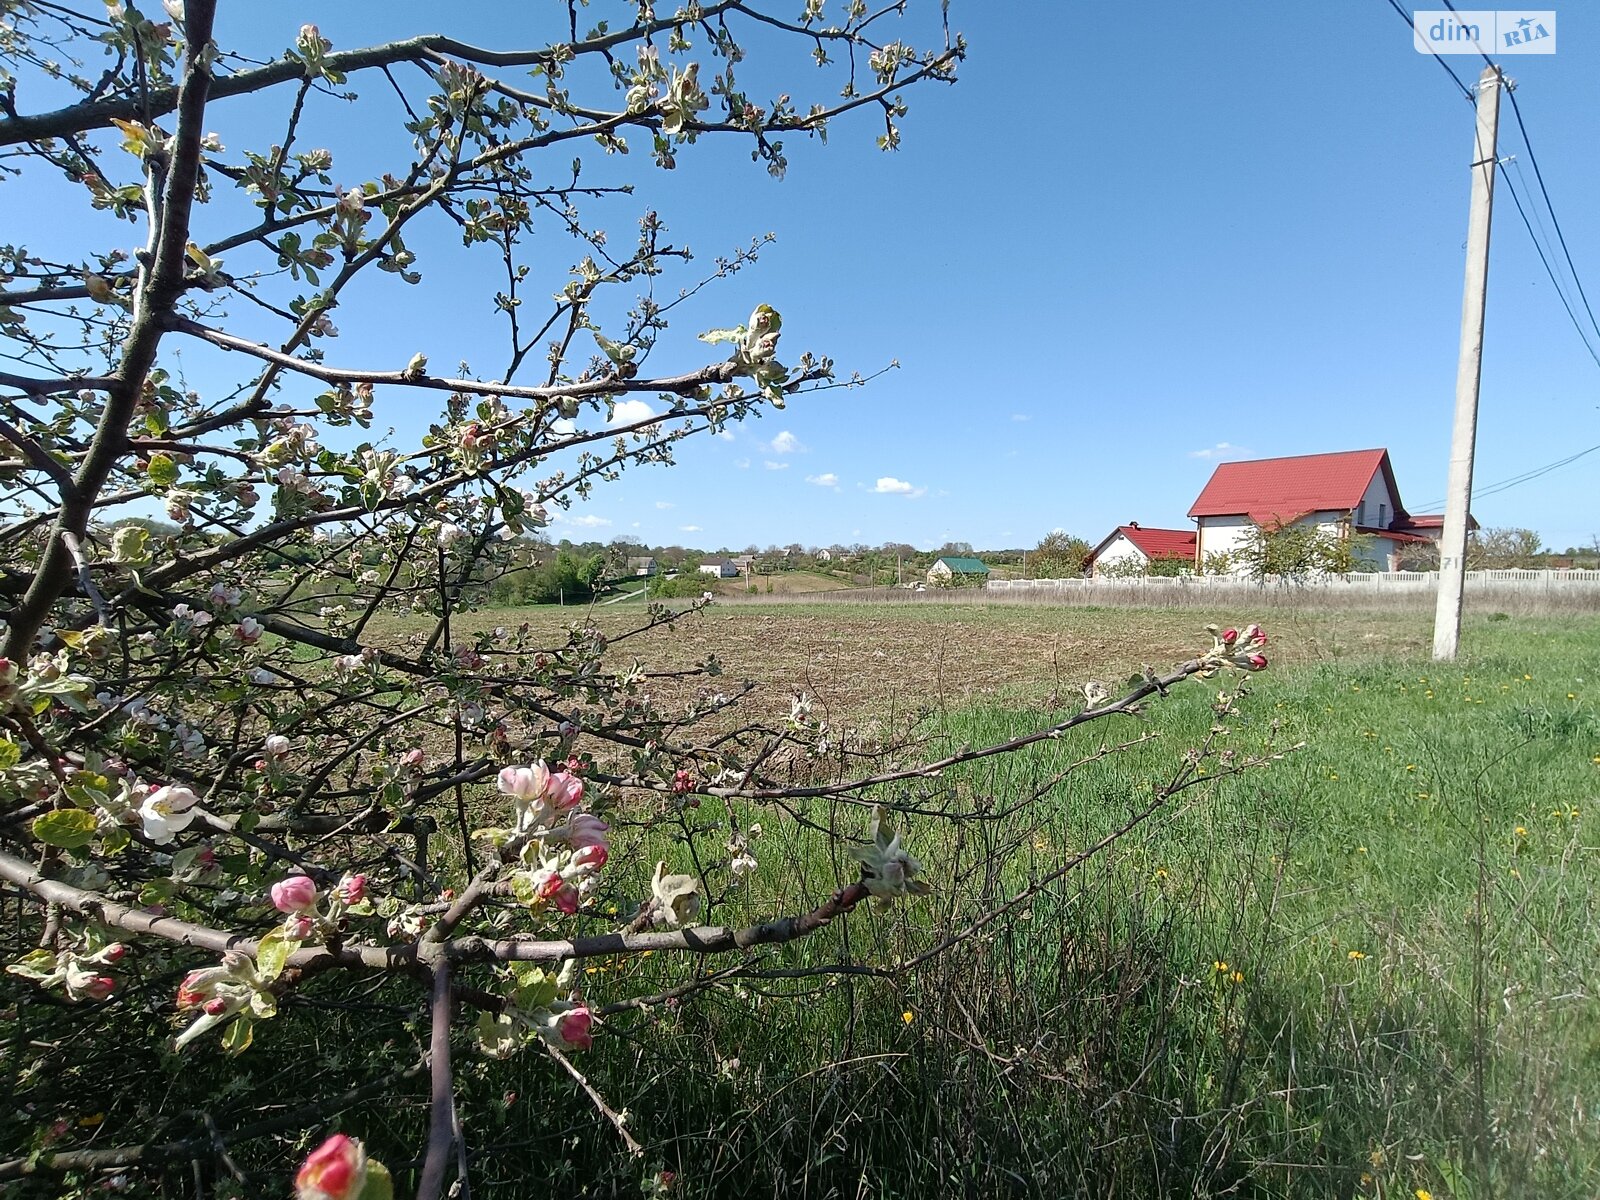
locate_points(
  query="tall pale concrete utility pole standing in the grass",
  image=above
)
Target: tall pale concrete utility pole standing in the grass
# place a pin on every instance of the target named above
(1470, 369)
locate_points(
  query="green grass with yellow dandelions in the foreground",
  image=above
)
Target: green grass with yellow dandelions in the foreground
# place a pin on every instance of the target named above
(1410, 906)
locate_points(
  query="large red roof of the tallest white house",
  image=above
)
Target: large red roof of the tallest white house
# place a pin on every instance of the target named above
(1274, 490)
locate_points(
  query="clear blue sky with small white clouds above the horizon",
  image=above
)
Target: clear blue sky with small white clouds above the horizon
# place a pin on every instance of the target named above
(1132, 241)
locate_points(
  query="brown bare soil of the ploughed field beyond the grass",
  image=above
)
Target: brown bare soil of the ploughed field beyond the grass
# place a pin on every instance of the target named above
(871, 662)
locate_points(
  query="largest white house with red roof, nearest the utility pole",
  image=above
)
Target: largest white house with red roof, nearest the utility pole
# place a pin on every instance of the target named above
(1343, 494)
